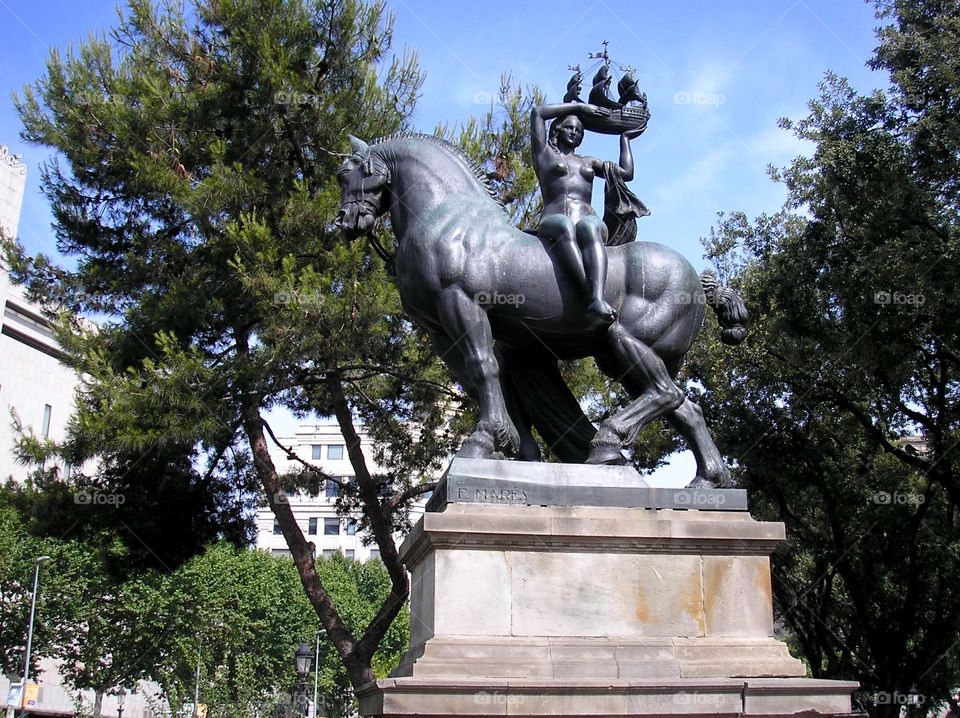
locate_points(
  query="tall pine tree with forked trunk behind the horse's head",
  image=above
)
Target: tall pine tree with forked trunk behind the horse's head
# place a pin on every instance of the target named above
(194, 183)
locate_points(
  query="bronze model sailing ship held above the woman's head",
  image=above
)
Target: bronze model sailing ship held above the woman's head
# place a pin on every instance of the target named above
(628, 112)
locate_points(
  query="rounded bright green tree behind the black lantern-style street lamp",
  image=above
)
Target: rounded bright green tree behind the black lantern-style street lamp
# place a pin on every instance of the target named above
(239, 614)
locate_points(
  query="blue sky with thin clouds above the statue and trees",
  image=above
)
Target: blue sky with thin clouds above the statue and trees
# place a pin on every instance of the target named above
(717, 75)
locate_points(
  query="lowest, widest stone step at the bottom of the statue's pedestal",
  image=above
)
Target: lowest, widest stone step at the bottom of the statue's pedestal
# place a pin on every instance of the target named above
(532, 698)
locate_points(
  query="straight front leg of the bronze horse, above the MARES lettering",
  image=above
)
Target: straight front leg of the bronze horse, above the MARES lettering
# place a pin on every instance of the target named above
(468, 330)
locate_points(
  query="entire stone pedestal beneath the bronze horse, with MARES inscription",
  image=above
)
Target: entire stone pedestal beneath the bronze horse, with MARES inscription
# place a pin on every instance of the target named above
(532, 610)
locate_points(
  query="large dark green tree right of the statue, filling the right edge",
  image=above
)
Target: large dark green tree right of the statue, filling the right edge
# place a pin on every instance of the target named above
(852, 352)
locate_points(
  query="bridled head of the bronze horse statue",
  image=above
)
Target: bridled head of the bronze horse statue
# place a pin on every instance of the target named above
(363, 179)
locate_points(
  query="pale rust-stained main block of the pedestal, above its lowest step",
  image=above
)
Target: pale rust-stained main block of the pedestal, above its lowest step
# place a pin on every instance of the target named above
(483, 575)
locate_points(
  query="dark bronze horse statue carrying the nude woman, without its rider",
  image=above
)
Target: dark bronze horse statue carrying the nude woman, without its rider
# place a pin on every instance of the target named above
(501, 315)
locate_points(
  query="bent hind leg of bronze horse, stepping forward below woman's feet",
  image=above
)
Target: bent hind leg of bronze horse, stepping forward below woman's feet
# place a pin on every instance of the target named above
(657, 394)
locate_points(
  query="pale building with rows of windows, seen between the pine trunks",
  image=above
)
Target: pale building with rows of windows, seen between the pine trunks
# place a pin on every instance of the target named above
(321, 445)
